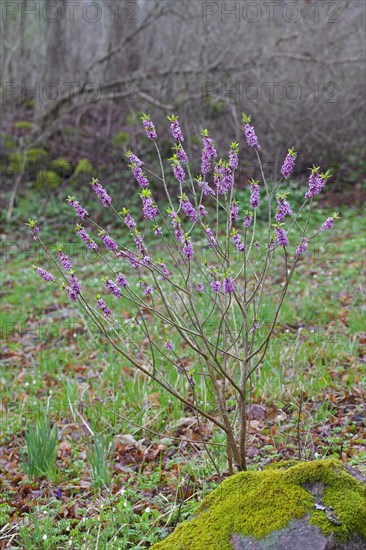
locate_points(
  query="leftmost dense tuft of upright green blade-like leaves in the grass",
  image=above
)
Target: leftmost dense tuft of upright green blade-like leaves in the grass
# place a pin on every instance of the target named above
(40, 443)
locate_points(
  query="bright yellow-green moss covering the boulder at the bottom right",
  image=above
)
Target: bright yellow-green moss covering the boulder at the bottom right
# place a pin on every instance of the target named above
(257, 503)
